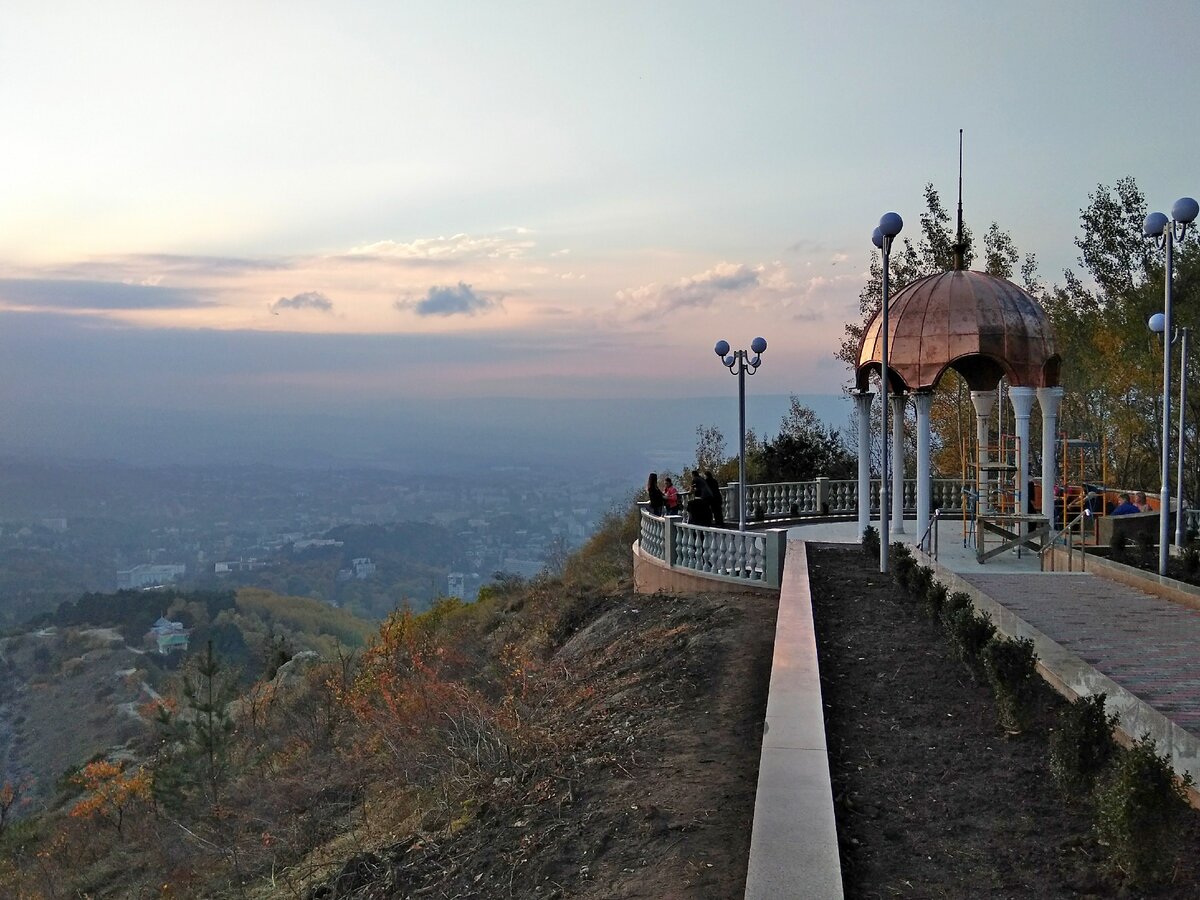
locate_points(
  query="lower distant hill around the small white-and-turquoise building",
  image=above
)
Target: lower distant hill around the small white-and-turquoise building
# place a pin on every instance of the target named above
(87, 679)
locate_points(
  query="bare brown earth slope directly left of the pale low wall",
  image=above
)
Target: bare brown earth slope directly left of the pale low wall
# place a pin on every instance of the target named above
(644, 785)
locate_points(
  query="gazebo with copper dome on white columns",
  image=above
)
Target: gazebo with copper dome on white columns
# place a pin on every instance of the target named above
(985, 328)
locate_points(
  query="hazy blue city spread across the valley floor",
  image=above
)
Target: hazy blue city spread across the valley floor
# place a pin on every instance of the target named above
(365, 541)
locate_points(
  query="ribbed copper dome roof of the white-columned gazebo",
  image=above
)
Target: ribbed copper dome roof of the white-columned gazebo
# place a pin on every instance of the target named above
(979, 325)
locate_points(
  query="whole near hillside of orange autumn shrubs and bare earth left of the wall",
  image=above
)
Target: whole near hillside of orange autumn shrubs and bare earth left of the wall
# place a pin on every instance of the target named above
(559, 737)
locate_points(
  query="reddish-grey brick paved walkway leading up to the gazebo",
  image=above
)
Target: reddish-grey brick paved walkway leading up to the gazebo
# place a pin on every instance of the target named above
(1149, 646)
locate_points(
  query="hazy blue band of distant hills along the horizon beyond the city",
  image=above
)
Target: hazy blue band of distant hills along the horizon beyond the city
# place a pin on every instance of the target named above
(616, 437)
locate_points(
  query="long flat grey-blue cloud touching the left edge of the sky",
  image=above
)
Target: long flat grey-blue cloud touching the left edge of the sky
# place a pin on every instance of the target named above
(68, 295)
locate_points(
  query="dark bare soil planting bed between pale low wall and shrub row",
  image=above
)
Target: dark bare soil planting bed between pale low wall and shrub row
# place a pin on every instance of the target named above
(933, 799)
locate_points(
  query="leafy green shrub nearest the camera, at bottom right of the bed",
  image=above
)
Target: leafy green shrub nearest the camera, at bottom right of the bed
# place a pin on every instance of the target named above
(1138, 811)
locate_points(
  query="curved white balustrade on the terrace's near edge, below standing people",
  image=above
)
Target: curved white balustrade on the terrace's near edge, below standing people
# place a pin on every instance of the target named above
(721, 554)
